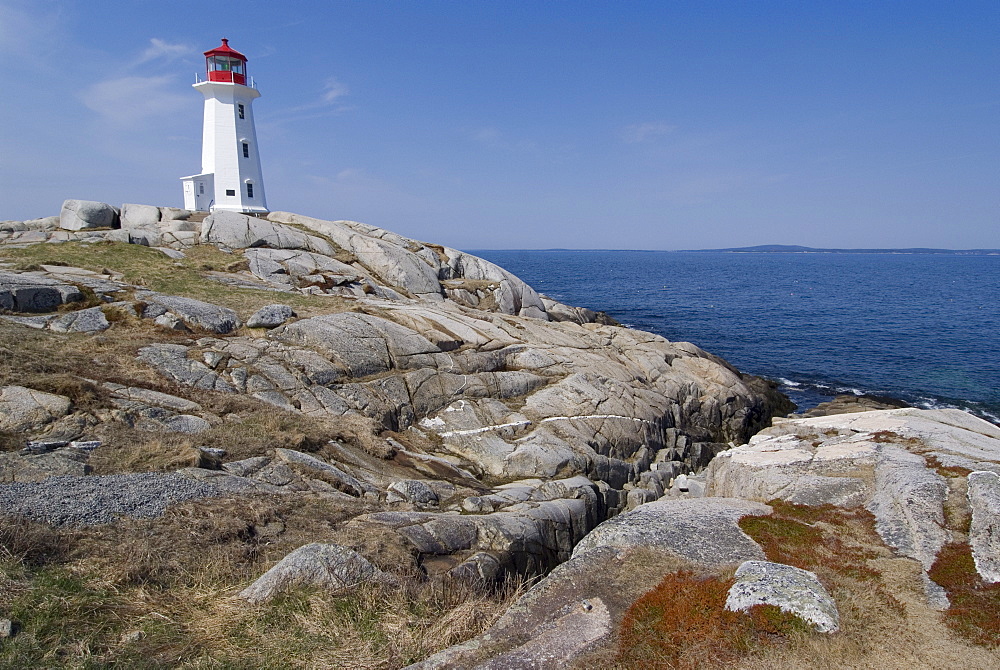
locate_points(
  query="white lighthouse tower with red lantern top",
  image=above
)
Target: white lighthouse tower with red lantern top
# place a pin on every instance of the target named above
(230, 176)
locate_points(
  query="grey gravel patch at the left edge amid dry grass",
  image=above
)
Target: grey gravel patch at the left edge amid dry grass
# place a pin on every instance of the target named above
(93, 500)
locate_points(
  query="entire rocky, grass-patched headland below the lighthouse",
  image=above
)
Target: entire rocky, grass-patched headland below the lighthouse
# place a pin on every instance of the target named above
(287, 406)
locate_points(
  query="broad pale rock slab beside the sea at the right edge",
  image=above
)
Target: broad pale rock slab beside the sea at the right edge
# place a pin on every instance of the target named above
(884, 460)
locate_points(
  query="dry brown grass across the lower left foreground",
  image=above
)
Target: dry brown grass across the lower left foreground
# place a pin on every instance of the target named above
(77, 595)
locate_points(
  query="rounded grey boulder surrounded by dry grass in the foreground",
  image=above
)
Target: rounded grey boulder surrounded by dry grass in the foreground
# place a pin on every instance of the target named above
(325, 566)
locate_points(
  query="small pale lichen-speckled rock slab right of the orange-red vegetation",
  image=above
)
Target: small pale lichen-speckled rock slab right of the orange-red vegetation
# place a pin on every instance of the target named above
(792, 589)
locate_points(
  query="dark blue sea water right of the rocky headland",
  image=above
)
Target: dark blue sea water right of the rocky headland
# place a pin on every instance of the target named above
(921, 328)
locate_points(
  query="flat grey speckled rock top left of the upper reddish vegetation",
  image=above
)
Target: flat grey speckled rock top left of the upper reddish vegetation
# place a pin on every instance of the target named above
(703, 530)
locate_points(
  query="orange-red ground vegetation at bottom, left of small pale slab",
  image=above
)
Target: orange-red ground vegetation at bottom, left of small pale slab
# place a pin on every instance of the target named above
(683, 623)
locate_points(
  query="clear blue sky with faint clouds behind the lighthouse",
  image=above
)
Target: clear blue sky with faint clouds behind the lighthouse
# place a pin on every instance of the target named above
(644, 125)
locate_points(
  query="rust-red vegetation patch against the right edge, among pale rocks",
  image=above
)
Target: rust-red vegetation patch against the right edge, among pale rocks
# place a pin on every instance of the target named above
(975, 605)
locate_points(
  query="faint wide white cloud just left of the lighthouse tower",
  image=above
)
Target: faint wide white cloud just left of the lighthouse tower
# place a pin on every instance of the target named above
(132, 100)
